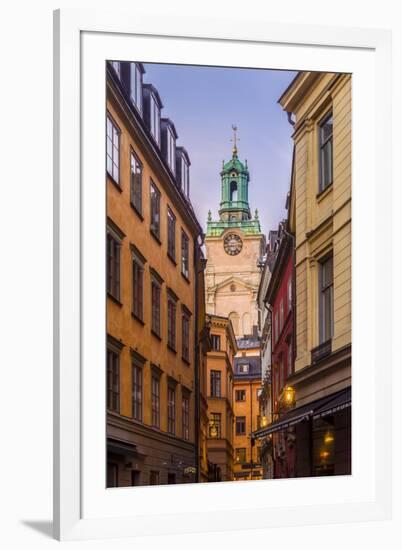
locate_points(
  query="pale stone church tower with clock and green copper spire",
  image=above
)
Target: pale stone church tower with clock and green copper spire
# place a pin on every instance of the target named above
(234, 246)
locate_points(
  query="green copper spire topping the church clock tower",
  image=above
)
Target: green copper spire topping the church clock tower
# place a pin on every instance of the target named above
(234, 208)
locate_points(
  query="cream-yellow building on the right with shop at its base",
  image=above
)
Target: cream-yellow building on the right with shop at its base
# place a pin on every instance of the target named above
(319, 106)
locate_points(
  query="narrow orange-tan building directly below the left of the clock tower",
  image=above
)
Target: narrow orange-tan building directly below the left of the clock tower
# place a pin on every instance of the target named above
(220, 361)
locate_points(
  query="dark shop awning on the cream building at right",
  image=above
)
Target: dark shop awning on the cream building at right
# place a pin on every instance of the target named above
(316, 409)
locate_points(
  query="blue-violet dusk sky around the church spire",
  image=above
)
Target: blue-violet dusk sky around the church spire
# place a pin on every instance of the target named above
(203, 103)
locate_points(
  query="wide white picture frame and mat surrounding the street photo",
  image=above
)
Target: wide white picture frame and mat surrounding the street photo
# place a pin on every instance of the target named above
(83, 508)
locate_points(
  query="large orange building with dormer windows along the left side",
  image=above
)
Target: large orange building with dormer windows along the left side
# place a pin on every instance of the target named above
(153, 348)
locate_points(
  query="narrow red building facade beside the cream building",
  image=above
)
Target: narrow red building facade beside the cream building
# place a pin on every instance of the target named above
(280, 297)
